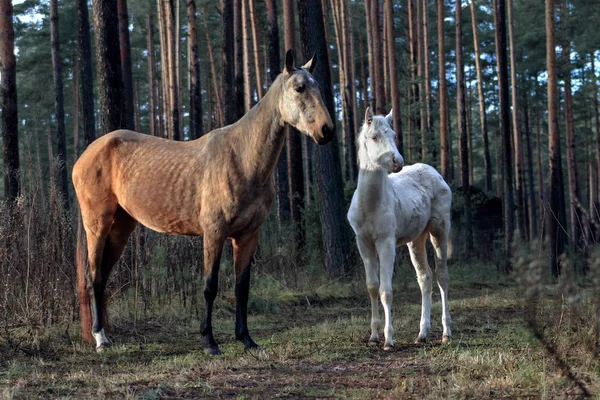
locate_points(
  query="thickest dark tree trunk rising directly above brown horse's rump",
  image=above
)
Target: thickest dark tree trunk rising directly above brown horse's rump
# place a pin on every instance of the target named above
(108, 61)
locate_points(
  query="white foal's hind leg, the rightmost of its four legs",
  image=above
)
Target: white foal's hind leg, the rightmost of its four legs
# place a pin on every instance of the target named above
(440, 243)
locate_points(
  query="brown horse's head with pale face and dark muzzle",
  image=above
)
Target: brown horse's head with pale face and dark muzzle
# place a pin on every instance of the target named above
(301, 103)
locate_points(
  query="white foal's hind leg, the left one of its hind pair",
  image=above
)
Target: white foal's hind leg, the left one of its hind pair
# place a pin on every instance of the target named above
(418, 256)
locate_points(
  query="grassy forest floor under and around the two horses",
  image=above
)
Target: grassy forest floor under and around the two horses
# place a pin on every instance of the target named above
(314, 346)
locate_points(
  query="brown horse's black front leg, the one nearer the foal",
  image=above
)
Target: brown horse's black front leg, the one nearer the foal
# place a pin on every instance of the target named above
(243, 258)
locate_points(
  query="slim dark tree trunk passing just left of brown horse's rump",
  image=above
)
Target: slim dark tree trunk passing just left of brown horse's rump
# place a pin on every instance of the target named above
(59, 104)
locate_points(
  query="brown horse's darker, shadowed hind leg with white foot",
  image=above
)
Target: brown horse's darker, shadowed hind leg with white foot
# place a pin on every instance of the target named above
(115, 243)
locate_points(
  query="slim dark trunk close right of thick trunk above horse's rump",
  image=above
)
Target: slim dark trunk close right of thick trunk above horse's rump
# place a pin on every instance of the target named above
(128, 112)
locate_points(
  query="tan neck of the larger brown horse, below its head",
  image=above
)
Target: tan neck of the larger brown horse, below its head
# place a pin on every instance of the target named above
(260, 135)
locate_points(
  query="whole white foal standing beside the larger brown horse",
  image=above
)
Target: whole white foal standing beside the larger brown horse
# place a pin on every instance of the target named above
(391, 210)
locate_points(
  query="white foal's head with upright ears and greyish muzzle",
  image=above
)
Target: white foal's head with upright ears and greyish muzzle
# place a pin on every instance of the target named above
(376, 144)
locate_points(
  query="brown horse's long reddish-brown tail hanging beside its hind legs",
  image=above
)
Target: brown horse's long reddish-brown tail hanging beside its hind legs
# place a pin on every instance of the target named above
(85, 312)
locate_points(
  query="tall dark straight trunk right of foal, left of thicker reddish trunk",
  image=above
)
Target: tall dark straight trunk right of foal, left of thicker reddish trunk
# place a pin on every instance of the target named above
(508, 199)
